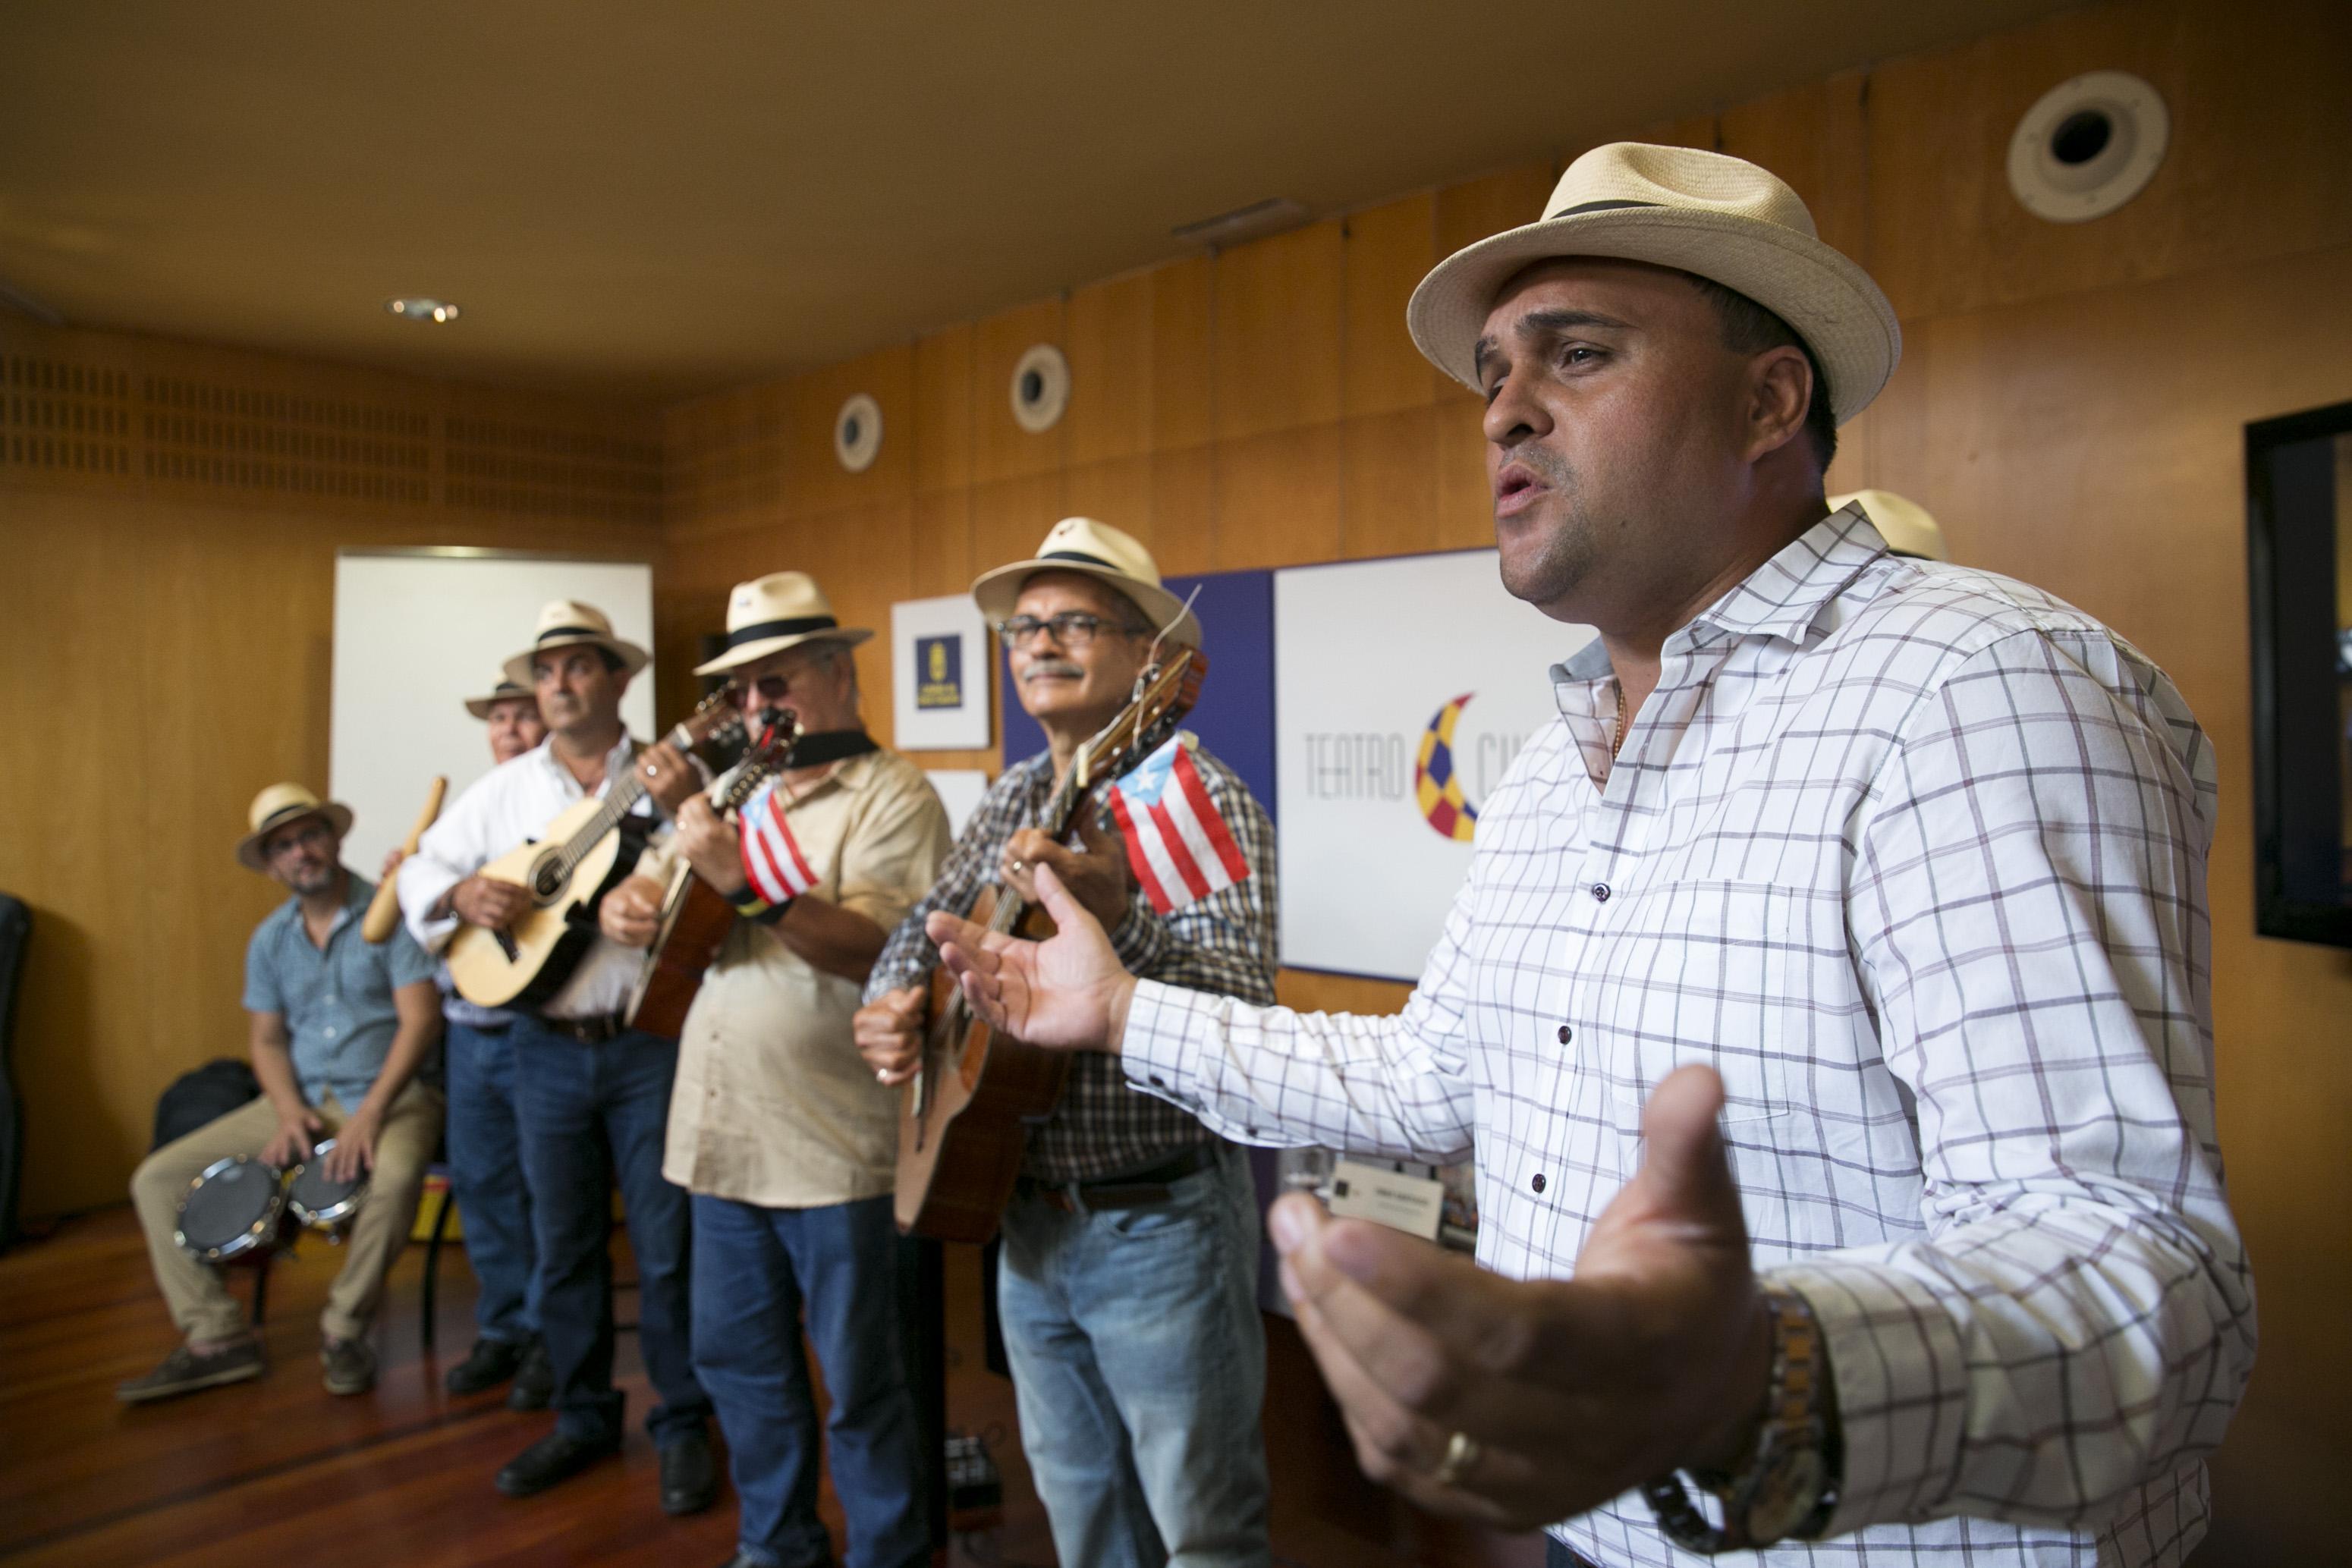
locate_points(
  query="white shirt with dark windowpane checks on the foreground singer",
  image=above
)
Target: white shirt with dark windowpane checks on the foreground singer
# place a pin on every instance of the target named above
(1916, 859)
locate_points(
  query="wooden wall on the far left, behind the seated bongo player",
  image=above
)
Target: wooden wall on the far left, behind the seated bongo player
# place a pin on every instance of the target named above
(168, 655)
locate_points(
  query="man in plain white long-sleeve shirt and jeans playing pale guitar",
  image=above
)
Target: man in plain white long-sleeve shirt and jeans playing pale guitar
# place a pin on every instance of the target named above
(592, 1097)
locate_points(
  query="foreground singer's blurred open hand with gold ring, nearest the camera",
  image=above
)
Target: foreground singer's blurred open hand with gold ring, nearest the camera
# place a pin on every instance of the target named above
(1570, 1391)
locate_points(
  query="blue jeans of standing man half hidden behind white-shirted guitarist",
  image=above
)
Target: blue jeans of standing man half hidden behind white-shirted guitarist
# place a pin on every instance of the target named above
(486, 1174)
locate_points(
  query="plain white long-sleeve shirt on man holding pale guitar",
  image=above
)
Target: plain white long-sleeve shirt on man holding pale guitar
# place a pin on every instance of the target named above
(509, 805)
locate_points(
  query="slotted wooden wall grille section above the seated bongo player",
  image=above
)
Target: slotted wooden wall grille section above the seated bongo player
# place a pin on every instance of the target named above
(248, 438)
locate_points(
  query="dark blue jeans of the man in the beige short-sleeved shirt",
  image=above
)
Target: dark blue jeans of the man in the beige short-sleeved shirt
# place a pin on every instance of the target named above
(759, 1278)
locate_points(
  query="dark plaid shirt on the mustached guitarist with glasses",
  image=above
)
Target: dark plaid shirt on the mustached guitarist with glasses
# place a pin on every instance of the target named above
(1222, 944)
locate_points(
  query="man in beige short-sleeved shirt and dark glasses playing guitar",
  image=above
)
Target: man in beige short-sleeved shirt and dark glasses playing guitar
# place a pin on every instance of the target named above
(777, 1130)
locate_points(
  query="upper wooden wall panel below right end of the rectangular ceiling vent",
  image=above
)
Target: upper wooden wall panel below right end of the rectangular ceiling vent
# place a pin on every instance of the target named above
(1278, 333)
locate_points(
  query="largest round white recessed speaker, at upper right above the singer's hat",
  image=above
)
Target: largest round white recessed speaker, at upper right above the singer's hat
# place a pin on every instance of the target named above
(2087, 147)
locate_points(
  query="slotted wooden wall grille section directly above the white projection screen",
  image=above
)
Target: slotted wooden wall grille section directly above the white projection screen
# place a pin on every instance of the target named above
(552, 474)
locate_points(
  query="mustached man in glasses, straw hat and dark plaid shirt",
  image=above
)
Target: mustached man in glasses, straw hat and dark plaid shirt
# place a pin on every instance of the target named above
(1130, 1266)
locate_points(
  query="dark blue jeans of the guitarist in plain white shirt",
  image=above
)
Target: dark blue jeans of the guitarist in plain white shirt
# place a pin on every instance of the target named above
(594, 1115)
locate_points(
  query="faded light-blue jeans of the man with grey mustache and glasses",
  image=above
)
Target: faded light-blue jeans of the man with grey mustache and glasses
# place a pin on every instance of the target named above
(1140, 1362)
